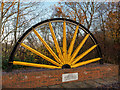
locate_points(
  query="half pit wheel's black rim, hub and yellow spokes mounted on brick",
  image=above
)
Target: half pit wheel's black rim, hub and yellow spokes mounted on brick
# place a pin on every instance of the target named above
(66, 56)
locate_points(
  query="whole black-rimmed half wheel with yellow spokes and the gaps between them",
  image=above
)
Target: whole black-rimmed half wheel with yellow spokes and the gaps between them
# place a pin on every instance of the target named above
(69, 42)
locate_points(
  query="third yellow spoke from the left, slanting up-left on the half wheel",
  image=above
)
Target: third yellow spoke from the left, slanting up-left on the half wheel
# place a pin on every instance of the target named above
(47, 46)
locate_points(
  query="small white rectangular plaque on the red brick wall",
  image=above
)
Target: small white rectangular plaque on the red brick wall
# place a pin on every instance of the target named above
(69, 77)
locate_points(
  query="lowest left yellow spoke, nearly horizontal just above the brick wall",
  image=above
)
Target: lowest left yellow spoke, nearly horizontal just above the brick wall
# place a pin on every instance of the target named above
(34, 65)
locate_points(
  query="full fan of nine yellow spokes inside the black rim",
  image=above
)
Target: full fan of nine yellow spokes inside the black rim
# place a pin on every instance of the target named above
(65, 56)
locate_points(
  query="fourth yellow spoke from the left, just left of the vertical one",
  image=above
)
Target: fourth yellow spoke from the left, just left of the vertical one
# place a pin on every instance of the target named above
(56, 43)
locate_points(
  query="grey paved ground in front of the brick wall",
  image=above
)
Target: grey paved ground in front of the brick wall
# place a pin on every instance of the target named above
(112, 82)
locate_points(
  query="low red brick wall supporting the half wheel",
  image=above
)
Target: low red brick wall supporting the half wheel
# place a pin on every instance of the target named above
(38, 78)
